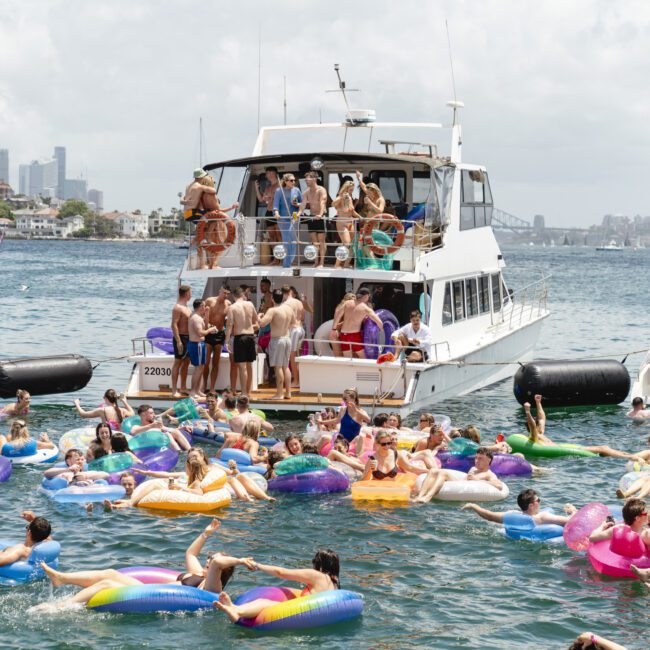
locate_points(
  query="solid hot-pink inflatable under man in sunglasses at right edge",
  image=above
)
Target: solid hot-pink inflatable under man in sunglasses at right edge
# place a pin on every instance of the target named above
(613, 557)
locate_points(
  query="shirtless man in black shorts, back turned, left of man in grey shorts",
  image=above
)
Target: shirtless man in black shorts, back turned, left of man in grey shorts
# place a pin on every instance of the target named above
(242, 323)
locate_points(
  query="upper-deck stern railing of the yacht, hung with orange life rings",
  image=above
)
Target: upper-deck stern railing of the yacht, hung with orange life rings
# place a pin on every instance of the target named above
(252, 241)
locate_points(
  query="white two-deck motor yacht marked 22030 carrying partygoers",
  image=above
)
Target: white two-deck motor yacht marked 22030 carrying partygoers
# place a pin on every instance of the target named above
(449, 265)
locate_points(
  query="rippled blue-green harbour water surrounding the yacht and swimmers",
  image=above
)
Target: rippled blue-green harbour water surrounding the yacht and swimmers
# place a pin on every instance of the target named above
(432, 576)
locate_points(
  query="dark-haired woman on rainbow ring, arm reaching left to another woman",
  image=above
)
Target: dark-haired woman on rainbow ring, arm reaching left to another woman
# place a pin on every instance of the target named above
(324, 576)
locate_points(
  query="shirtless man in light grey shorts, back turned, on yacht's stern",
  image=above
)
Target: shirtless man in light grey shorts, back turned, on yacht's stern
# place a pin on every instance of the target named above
(280, 317)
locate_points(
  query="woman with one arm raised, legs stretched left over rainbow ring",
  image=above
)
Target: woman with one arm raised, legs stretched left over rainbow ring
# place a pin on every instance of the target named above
(211, 576)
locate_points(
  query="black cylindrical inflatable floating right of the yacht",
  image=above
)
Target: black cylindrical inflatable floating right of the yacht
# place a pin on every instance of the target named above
(573, 383)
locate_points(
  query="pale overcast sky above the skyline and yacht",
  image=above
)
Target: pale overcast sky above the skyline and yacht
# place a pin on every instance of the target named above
(556, 93)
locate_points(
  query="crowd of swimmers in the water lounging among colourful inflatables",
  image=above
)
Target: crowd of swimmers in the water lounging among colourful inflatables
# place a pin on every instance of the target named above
(349, 434)
